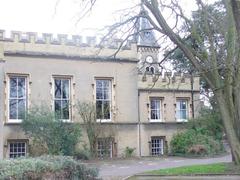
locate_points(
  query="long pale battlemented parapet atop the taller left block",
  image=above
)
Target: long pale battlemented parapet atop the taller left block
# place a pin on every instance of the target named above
(31, 43)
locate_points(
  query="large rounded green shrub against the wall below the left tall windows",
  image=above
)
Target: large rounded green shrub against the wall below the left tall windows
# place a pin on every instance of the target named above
(58, 136)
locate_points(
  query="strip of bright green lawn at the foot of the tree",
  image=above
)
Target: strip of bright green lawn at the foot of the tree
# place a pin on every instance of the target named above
(218, 168)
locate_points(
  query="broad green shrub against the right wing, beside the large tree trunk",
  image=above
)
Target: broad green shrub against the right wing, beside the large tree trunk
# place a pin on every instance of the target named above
(203, 136)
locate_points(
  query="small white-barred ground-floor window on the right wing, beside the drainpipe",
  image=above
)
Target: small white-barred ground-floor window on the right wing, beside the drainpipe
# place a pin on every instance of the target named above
(157, 144)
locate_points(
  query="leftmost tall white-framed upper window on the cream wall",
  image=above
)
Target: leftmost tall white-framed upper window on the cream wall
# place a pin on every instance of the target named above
(17, 98)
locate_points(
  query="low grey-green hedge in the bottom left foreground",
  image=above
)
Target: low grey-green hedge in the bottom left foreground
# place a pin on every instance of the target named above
(45, 167)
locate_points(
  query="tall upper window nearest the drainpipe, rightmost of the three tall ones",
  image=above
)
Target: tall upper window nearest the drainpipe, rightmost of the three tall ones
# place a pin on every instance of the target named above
(103, 99)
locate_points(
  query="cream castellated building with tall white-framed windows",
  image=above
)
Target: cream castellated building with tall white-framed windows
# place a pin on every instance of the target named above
(144, 108)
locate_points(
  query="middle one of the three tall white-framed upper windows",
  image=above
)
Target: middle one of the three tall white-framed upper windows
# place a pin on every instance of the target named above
(62, 98)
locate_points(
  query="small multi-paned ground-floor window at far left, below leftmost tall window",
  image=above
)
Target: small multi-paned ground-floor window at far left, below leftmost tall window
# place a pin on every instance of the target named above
(17, 149)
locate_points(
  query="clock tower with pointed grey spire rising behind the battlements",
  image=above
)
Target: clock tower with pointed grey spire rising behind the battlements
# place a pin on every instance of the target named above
(147, 46)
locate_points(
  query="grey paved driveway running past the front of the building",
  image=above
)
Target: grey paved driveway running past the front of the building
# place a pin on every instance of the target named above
(120, 169)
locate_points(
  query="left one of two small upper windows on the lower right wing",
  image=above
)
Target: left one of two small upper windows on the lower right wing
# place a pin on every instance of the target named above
(155, 109)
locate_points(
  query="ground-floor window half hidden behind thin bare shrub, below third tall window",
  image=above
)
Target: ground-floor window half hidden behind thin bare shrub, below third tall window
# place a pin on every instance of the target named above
(105, 147)
